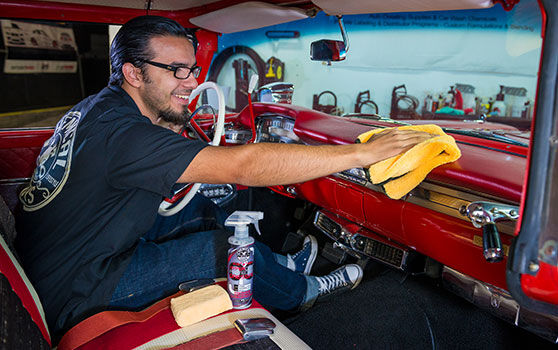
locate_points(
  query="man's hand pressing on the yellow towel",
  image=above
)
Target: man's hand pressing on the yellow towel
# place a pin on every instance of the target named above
(389, 143)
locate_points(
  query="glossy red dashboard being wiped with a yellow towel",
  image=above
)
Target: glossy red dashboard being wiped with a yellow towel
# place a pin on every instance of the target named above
(430, 219)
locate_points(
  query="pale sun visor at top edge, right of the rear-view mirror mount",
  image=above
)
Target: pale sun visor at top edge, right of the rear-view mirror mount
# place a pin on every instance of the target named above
(352, 7)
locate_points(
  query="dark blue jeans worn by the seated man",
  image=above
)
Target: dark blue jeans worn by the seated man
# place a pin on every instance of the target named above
(193, 244)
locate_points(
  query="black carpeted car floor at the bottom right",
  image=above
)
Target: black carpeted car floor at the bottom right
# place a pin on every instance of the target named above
(393, 310)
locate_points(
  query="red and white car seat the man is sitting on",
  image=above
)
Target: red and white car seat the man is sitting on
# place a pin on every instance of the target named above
(23, 325)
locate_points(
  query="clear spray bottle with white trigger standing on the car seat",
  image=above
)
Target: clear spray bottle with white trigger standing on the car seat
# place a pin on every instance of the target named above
(240, 263)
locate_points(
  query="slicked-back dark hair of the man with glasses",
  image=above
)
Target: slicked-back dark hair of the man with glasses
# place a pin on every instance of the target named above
(131, 43)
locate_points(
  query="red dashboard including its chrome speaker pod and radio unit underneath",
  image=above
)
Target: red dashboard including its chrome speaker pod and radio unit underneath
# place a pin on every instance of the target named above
(431, 221)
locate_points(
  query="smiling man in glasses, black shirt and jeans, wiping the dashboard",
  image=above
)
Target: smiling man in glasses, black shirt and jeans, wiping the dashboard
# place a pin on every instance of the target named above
(90, 238)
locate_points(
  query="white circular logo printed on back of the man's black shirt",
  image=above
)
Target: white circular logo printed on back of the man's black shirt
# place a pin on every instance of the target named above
(53, 164)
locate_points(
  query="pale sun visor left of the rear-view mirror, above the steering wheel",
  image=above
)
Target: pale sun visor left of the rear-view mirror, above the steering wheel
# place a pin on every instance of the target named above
(246, 16)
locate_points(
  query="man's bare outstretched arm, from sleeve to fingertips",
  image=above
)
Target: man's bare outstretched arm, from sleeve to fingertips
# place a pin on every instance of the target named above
(266, 164)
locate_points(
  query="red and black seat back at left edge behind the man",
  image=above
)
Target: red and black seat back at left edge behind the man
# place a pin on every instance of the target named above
(22, 320)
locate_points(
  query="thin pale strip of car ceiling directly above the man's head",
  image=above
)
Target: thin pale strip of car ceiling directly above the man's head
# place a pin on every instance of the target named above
(169, 5)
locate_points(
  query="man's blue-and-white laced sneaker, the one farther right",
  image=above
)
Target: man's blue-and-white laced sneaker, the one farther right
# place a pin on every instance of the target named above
(344, 278)
